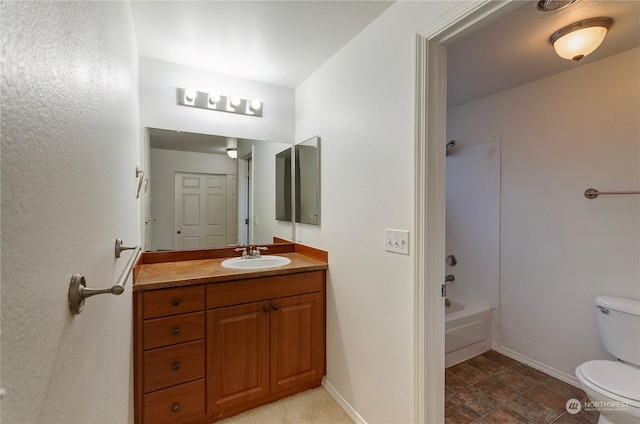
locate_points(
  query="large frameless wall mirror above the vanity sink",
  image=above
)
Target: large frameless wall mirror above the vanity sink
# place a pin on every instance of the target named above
(199, 197)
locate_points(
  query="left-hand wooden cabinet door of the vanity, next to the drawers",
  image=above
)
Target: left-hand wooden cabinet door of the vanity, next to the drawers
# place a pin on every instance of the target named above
(237, 355)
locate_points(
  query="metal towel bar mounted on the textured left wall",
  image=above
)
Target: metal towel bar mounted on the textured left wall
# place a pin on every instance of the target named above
(78, 290)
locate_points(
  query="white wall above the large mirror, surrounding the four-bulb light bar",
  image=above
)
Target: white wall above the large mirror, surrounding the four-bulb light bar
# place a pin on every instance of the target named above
(158, 107)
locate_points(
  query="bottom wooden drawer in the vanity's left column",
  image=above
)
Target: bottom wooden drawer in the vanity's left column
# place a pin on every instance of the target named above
(179, 404)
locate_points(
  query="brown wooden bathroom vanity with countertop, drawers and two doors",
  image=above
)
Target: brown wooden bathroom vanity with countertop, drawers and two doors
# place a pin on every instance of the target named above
(210, 342)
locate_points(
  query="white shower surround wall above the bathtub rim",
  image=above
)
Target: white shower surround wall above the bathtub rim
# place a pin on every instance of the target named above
(473, 222)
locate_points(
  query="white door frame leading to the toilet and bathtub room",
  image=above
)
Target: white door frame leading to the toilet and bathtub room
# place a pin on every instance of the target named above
(430, 194)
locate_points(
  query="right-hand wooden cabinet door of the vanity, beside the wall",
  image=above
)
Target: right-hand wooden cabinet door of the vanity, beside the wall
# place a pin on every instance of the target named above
(297, 341)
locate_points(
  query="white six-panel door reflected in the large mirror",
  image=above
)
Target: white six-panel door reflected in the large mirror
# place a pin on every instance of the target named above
(200, 211)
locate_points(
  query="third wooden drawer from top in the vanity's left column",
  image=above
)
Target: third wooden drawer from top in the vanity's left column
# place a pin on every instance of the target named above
(172, 365)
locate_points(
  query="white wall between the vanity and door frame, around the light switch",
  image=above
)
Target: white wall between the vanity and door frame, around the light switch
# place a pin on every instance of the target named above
(361, 104)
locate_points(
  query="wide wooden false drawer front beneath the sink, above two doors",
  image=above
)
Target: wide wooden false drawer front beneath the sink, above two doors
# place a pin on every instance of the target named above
(263, 288)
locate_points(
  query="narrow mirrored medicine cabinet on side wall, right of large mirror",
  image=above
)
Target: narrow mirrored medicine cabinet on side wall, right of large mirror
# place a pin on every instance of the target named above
(307, 181)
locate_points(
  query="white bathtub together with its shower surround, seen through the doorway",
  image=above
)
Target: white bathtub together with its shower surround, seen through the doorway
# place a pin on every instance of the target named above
(473, 237)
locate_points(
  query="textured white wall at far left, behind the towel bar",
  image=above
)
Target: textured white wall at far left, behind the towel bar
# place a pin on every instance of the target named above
(70, 142)
